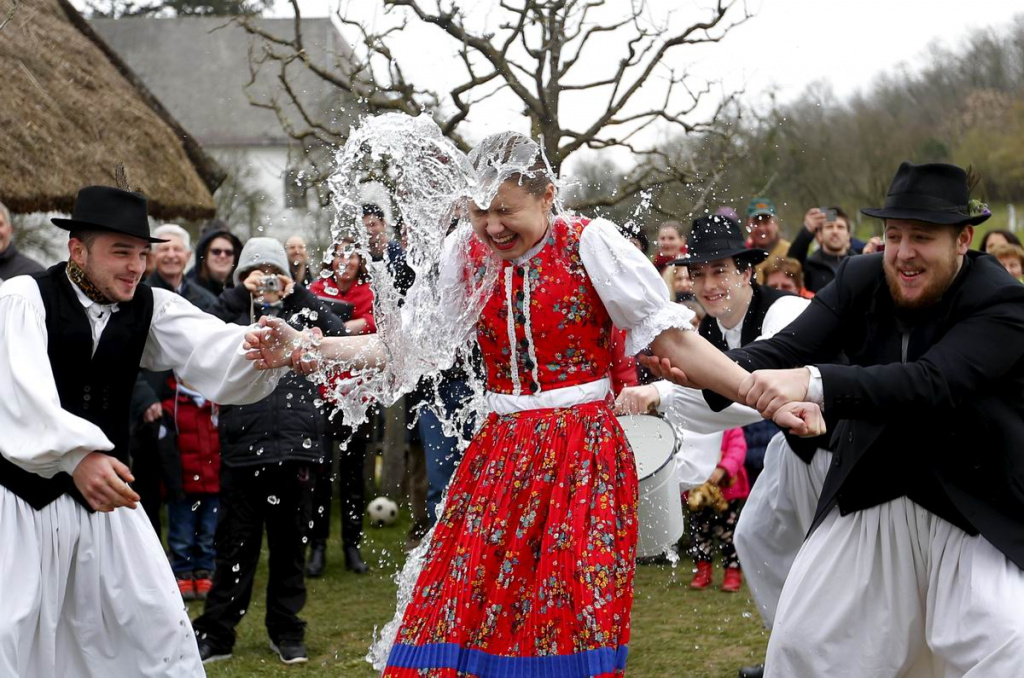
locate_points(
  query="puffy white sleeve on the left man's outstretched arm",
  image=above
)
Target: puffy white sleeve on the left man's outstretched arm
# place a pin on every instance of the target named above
(205, 352)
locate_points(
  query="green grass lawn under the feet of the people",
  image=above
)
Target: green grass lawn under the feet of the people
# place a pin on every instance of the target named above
(677, 631)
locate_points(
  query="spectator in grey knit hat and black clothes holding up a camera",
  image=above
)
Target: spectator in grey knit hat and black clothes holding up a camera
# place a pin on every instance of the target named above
(270, 452)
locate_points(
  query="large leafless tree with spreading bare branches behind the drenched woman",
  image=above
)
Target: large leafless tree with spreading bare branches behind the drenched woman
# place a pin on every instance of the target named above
(536, 53)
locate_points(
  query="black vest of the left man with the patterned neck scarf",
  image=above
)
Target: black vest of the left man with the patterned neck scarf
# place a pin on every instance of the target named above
(98, 388)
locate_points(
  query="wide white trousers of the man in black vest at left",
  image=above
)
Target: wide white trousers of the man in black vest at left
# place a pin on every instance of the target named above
(89, 596)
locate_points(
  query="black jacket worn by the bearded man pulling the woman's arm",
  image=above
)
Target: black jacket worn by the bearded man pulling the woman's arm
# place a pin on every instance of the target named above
(946, 428)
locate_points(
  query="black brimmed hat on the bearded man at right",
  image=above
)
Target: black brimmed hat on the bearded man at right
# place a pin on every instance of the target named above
(934, 194)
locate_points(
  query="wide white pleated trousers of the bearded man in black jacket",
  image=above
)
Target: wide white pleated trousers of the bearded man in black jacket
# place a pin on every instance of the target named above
(894, 590)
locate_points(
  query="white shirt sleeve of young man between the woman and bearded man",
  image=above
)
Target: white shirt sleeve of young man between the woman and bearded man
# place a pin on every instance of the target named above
(688, 406)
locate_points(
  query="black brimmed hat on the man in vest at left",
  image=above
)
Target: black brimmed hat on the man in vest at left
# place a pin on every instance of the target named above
(107, 208)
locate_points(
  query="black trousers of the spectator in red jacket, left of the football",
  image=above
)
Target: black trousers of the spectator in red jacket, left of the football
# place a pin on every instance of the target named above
(352, 486)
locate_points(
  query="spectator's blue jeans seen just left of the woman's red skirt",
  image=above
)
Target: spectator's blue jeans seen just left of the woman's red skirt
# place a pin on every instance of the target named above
(442, 451)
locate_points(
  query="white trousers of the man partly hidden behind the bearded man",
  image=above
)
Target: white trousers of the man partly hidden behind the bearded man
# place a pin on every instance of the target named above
(776, 520)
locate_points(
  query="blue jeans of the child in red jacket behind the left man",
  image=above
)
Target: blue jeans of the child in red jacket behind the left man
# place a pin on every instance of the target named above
(190, 533)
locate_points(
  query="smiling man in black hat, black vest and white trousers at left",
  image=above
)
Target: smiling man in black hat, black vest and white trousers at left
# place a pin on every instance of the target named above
(86, 587)
